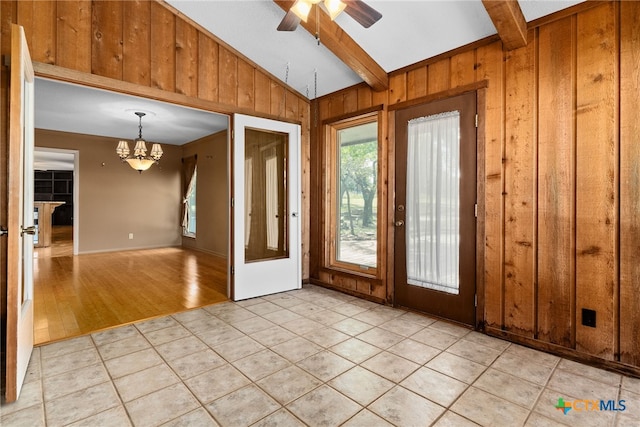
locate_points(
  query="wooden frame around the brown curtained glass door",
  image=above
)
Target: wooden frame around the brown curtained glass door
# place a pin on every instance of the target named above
(480, 88)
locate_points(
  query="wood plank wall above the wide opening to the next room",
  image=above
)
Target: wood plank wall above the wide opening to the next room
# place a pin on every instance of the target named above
(145, 43)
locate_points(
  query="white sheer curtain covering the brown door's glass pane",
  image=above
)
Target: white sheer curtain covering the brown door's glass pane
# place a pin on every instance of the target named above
(432, 221)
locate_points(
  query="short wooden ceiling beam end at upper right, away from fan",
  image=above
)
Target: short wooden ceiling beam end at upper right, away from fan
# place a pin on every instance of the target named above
(509, 20)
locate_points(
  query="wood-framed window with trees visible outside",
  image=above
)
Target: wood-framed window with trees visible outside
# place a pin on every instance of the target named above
(353, 212)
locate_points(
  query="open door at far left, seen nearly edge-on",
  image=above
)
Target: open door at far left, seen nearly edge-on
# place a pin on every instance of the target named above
(20, 216)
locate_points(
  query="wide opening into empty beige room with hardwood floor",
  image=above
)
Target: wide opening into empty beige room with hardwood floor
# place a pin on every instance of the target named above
(130, 260)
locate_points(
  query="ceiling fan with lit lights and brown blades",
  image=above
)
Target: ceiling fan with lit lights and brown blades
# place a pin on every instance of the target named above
(364, 14)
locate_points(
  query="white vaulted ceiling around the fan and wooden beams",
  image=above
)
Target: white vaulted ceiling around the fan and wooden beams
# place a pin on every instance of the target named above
(409, 31)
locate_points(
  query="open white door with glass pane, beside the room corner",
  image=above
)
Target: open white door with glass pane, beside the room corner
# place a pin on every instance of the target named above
(266, 212)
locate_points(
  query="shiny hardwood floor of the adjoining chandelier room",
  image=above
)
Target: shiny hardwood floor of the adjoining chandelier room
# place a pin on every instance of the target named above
(76, 295)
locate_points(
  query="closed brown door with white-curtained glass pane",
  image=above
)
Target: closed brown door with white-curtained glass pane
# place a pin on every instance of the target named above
(434, 216)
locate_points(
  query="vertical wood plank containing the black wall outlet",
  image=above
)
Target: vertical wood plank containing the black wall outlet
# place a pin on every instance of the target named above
(597, 177)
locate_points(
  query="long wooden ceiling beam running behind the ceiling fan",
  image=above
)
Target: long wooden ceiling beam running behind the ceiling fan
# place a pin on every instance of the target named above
(344, 47)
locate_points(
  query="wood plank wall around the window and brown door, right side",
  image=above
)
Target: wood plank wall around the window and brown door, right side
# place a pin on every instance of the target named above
(562, 176)
